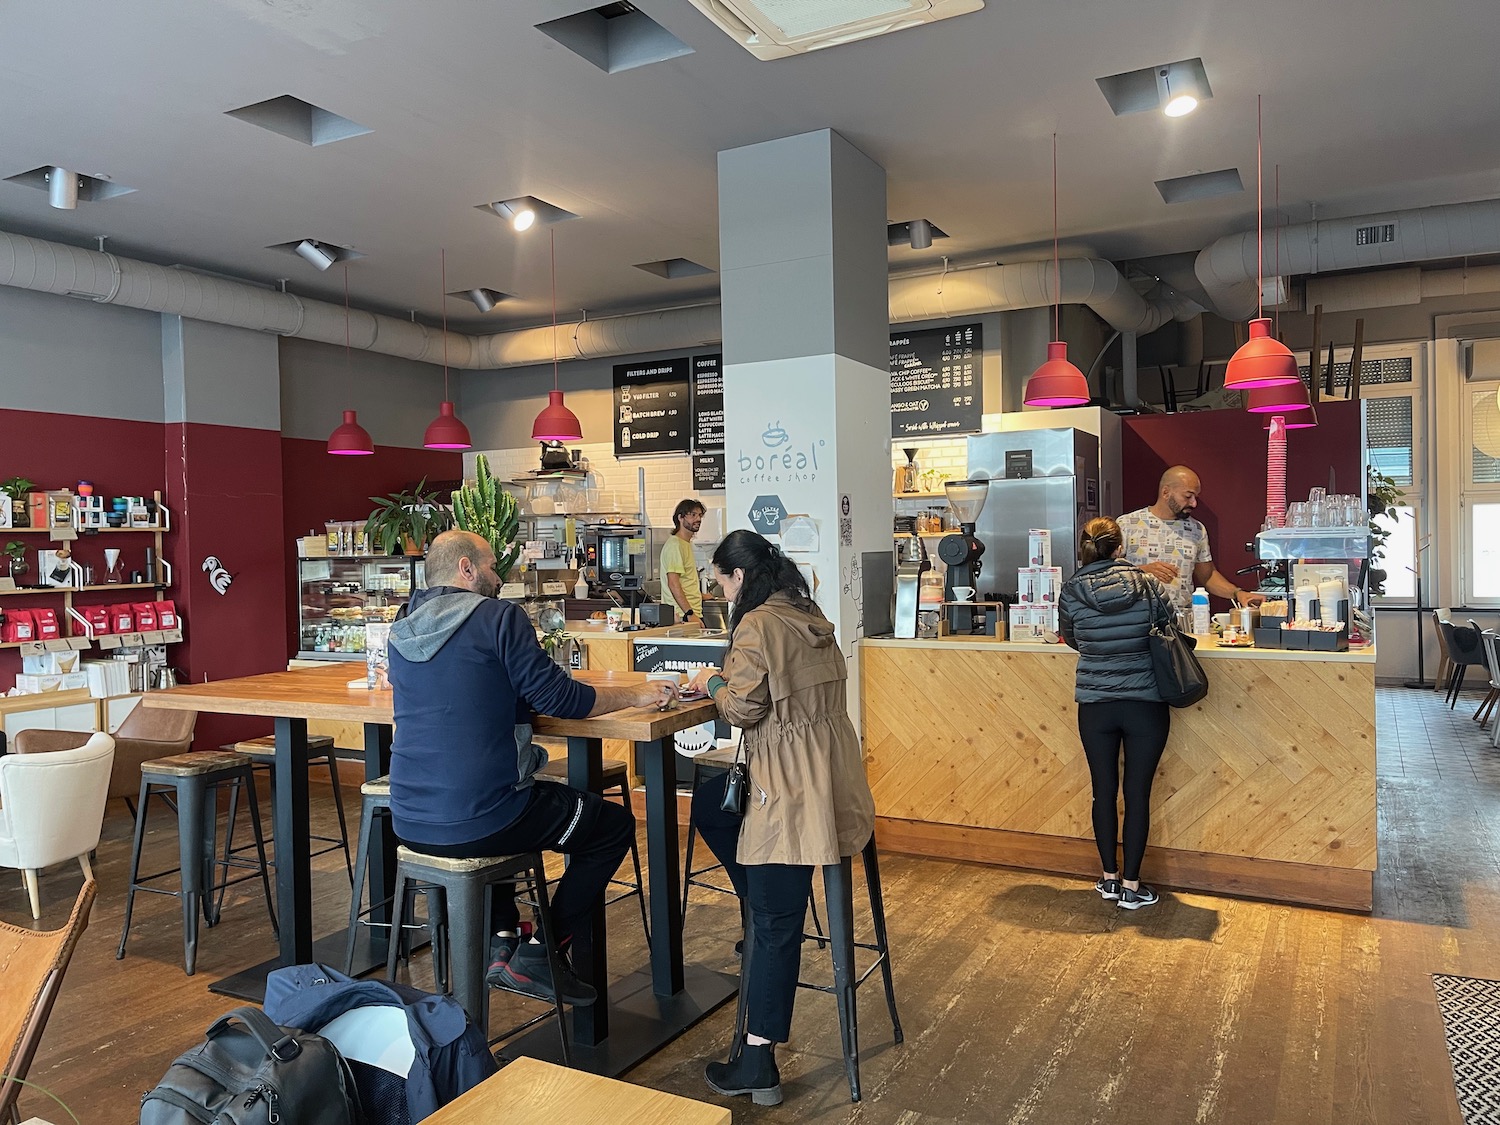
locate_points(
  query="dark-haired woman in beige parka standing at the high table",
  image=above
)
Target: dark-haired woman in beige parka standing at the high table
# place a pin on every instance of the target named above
(809, 803)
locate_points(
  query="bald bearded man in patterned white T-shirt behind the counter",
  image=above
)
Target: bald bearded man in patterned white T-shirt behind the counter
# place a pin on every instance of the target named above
(1169, 544)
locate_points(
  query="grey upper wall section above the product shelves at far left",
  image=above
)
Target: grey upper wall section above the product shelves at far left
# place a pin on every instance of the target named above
(67, 356)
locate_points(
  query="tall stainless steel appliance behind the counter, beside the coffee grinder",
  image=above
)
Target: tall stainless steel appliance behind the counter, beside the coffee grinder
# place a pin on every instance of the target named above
(1039, 479)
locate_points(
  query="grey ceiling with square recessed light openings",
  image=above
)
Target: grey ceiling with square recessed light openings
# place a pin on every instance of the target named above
(466, 103)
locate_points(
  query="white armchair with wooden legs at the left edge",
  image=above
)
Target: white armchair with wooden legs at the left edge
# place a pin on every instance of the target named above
(52, 809)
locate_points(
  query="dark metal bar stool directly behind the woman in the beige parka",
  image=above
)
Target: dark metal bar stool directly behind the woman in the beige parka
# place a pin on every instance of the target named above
(839, 895)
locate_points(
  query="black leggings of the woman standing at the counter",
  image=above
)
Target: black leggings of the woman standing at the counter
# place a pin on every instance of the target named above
(1142, 728)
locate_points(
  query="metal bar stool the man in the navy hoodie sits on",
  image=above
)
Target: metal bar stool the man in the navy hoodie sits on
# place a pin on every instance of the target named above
(467, 889)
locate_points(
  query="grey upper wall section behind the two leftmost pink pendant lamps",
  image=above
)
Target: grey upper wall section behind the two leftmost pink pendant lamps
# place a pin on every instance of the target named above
(395, 398)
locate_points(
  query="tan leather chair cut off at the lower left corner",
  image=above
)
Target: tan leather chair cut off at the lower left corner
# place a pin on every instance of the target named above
(32, 967)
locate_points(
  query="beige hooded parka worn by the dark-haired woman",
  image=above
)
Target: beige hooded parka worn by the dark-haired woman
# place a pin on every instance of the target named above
(809, 802)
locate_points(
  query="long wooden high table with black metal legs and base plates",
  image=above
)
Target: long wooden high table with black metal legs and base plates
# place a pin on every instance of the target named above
(632, 1019)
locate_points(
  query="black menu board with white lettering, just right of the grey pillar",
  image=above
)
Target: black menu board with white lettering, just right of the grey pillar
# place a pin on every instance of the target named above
(937, 382)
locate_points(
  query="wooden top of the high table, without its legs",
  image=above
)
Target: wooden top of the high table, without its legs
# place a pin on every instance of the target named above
(325, 694)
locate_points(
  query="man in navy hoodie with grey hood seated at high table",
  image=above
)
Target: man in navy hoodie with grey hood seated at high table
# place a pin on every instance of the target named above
(467, 673)
